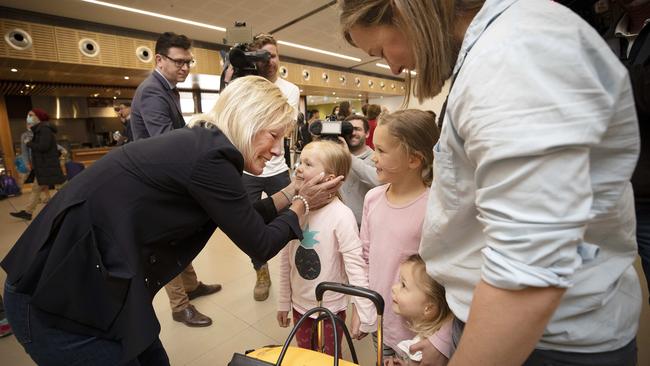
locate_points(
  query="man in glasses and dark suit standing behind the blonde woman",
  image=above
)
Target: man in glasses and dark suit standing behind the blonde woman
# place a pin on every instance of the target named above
(155, 110)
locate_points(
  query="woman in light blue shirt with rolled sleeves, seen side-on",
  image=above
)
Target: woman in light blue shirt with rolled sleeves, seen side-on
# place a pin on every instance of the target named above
(530, 224)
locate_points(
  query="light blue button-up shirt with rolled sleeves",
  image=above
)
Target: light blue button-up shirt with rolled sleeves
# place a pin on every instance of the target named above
(532, 173)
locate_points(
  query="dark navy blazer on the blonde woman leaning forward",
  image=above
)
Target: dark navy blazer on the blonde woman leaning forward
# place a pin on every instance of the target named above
(97, 254)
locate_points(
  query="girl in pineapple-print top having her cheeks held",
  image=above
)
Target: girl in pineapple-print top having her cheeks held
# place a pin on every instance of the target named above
(330, 251)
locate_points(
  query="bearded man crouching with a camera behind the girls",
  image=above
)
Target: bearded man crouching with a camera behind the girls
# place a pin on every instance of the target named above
(363, 175)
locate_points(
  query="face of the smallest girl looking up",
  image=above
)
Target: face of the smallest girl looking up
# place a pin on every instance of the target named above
(409, 300)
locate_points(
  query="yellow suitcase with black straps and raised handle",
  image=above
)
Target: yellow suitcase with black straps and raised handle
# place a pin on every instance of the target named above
(295, 356)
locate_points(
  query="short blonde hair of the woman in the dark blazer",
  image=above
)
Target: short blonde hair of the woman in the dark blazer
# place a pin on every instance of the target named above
(247, 106)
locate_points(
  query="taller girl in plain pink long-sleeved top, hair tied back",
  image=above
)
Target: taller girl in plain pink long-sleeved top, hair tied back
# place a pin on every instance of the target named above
(391, 224)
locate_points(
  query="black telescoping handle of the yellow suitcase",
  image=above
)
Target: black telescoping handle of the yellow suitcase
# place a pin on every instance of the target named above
(360, 292)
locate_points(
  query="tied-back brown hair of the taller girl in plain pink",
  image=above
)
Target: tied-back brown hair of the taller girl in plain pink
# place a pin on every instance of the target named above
(417, 132)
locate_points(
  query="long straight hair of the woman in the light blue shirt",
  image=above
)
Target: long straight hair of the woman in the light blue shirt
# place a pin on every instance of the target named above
(430, 25)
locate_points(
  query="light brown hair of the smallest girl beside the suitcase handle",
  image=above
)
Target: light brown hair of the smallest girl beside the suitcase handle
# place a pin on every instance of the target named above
(435, 293)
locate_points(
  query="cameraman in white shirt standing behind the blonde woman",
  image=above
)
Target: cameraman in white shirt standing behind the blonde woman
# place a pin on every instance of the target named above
(276, 172)
